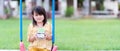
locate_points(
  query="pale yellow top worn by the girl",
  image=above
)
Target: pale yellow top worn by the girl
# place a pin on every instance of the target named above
(40, 43)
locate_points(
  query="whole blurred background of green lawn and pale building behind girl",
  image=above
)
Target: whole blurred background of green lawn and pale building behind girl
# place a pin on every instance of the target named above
(79, 24)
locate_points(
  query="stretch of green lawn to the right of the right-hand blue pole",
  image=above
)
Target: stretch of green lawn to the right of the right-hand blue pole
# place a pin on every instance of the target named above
(88, 34)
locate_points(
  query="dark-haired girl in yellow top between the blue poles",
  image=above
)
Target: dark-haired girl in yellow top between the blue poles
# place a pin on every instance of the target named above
(39, 31)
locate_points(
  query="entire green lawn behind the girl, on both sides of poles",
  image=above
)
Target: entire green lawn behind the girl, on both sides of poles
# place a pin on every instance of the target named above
(80, 34)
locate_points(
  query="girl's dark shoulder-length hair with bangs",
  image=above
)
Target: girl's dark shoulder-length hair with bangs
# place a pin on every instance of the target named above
(41, 11)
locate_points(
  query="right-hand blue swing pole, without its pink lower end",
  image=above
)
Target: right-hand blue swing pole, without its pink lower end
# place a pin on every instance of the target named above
(53, 21)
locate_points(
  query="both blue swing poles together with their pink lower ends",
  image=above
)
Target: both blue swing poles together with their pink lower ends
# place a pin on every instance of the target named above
(54, 48)
